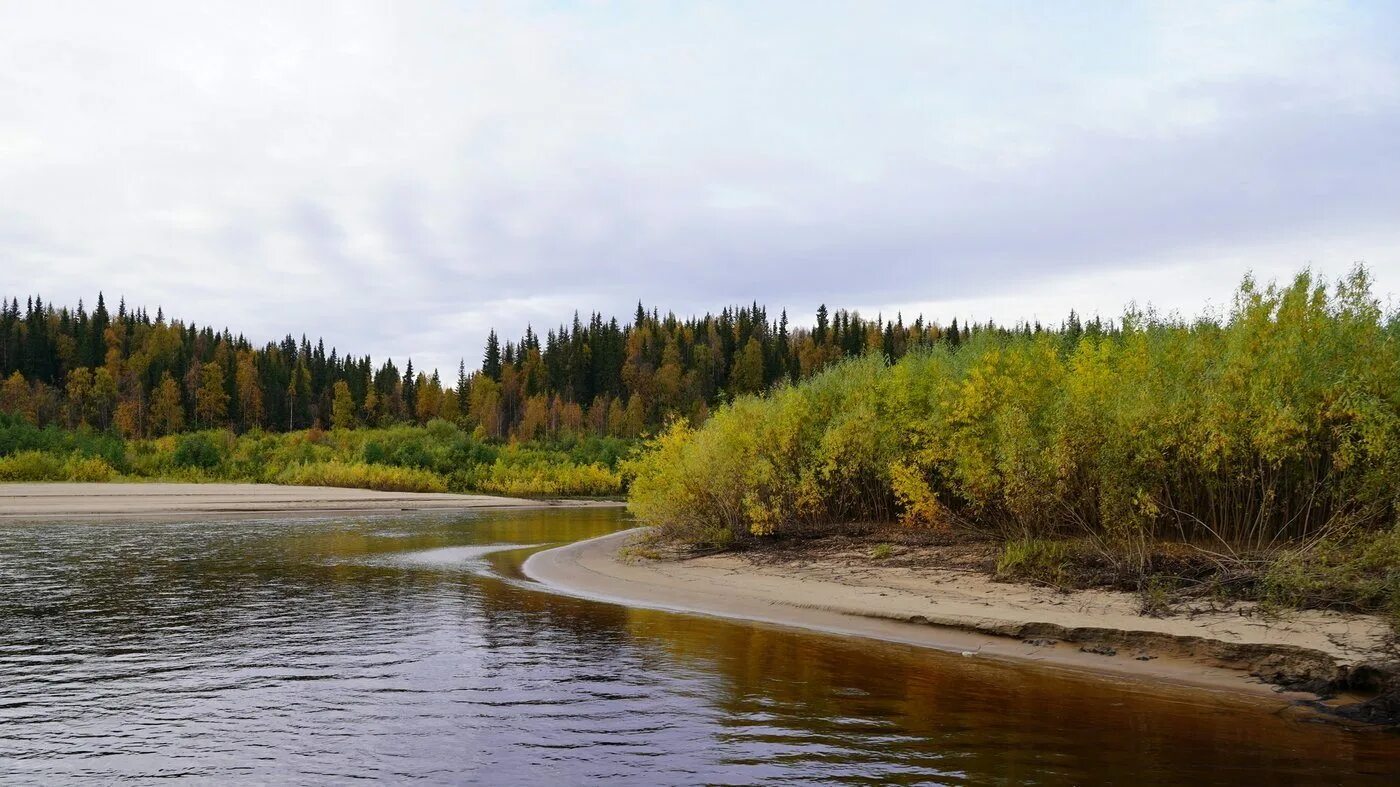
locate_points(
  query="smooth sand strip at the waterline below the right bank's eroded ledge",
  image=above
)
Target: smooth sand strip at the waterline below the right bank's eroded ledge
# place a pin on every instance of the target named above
(1272, 673)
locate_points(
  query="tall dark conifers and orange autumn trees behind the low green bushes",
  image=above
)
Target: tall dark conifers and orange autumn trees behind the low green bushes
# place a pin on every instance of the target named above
(148, 376)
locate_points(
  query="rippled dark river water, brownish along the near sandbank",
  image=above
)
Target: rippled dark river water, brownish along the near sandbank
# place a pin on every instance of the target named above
(408, 649)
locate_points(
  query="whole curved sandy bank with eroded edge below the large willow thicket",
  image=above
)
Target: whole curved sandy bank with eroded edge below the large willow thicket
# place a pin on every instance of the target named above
(1333, 662)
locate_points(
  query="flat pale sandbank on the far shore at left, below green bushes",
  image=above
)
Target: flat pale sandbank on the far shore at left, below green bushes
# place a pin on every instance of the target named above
(173, 501)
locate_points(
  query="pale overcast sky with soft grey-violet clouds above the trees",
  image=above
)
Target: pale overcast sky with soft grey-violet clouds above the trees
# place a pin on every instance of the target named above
(400, 177)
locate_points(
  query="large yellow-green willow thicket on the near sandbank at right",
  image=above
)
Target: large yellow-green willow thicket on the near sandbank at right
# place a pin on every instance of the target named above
(1273, 424)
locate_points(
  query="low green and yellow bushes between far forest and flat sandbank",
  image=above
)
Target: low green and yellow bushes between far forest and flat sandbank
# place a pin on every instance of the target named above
(437, 457)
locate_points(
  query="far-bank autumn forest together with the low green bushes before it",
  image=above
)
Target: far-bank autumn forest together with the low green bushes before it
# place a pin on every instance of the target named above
(100, 394)
